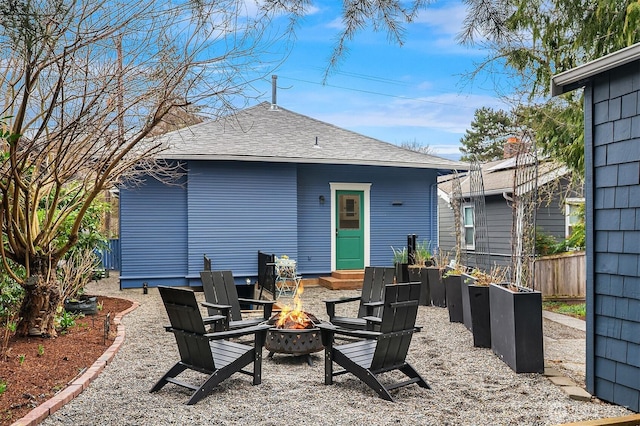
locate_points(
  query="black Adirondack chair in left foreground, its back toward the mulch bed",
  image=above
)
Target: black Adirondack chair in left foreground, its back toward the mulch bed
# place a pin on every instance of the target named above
(208, 353)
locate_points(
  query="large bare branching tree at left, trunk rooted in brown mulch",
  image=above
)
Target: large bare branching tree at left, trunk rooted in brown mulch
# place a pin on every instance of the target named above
(83, 84)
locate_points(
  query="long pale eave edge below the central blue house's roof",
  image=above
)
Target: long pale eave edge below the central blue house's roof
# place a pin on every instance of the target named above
(352, 162)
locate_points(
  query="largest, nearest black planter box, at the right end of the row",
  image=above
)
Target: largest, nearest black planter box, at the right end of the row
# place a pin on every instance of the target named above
(516, 328)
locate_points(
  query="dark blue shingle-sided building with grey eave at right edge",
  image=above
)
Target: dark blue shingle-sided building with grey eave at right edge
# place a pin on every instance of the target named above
(612, 166)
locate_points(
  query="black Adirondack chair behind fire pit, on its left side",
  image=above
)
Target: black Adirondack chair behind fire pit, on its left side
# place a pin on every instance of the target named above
(221, 298)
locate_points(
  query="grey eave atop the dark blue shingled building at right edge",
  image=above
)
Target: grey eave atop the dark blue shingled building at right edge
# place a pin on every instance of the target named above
(579, 76)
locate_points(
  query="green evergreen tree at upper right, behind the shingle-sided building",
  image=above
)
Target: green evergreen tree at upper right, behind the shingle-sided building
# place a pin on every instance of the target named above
(536, 39)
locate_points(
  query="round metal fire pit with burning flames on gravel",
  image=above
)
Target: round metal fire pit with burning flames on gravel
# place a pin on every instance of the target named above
(294, 332)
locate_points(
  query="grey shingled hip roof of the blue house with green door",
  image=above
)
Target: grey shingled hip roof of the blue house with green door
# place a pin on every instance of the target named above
(275, 134)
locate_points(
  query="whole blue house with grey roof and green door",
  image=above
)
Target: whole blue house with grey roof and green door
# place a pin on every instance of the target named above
(269, 179)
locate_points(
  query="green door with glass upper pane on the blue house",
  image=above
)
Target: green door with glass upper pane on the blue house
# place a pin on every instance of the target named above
(349, 230)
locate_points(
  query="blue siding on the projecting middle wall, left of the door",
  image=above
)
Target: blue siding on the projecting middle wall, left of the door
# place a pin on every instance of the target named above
(236, 209)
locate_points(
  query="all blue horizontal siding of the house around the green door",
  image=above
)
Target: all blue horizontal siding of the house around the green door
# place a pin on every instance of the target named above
(231, 210)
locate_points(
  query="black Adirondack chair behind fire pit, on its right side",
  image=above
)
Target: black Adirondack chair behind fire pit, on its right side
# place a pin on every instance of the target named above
(375, 278)
